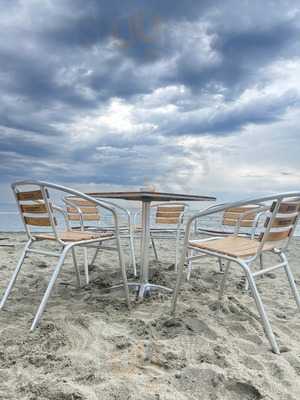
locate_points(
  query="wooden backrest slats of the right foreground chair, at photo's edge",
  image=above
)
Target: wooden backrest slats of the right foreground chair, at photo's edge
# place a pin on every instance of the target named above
(283, 222)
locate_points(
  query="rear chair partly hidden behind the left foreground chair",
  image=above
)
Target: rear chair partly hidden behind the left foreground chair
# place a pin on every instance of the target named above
(85, 215)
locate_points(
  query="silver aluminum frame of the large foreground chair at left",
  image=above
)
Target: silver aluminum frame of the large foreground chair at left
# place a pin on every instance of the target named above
(66, 246)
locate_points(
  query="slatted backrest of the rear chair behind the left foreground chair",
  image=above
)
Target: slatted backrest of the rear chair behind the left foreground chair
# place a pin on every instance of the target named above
(80, 210)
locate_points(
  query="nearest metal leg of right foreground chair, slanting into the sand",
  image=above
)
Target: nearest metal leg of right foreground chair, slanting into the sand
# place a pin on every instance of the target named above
(261, 309)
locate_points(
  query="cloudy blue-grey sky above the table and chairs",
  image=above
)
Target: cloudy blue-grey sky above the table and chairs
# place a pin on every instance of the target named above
(193, 96)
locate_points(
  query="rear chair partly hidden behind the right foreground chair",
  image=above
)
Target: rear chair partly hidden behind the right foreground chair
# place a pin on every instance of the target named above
(232, 220)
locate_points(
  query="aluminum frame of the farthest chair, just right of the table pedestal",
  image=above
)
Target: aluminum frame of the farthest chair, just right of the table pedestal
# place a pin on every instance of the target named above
(166, 232)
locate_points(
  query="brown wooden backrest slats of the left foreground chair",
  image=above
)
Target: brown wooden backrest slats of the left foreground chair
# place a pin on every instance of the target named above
(33, 207)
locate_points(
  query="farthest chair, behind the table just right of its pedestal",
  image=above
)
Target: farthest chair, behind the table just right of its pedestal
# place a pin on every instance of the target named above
(166, 223)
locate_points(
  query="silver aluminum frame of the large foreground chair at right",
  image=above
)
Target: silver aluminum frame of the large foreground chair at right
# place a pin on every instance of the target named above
(245, 263)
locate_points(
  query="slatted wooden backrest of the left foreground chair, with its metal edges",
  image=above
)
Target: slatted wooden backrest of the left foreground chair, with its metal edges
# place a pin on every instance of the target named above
(35, 208)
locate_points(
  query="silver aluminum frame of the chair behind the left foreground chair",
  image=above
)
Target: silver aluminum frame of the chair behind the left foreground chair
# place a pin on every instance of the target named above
(128, 229)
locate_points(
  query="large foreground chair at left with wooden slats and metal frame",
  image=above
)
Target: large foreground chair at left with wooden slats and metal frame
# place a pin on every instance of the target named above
(38, 211)
